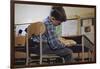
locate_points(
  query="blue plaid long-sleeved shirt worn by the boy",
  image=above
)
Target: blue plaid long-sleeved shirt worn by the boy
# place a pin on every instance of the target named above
(50, 36)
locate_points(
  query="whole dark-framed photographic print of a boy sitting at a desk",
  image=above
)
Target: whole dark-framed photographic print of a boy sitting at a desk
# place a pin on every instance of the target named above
(49, 34)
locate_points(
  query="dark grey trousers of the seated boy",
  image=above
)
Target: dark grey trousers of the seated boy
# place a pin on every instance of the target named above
(65, 52)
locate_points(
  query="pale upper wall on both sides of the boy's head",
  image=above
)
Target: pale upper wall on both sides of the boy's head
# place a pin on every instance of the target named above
(25, 13)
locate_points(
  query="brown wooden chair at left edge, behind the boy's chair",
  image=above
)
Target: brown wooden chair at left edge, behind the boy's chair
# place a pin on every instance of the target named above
(20, 54)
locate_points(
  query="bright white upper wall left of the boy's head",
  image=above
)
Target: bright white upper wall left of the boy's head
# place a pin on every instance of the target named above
(25, 13)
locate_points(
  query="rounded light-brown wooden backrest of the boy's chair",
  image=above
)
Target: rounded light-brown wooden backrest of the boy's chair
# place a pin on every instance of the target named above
(36, 28)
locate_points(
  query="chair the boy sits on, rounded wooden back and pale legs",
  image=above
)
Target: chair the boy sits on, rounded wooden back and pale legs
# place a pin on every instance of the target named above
(37, 29)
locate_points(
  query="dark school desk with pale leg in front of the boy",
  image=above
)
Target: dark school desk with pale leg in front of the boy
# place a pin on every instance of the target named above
(83, 45)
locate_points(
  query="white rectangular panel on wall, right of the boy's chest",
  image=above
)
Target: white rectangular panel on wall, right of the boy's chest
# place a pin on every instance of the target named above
(70, 28)
